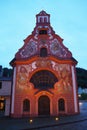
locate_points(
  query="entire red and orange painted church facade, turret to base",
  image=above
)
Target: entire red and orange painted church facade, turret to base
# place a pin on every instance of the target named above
(44, 78)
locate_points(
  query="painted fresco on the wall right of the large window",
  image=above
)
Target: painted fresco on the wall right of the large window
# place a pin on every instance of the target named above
(64, 84)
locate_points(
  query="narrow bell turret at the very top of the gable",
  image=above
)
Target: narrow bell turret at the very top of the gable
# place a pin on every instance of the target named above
(43, 26)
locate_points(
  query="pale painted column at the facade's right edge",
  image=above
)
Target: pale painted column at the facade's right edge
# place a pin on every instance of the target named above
(74, 89)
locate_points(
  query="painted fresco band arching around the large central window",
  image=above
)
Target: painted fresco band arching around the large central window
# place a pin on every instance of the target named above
(63, 71)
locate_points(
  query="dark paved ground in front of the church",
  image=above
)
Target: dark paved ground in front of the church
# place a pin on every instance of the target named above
(77, 122)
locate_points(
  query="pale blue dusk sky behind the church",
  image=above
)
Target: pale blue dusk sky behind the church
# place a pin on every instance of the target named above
(68, 19)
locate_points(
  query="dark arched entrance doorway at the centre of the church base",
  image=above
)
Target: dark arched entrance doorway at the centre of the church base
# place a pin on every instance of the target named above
(44, 105)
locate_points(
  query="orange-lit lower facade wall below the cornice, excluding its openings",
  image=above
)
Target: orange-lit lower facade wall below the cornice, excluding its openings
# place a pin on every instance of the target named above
(61, 89)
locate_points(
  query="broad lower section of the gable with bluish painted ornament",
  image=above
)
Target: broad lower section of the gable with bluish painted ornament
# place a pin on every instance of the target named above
(54, 48)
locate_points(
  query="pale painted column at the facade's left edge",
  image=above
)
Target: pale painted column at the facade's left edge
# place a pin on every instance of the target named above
(13, 91)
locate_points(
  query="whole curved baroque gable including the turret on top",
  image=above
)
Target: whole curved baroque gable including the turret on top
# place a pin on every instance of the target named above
(43, 36)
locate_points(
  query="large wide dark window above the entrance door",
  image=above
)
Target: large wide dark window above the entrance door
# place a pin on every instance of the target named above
(43, 79)
